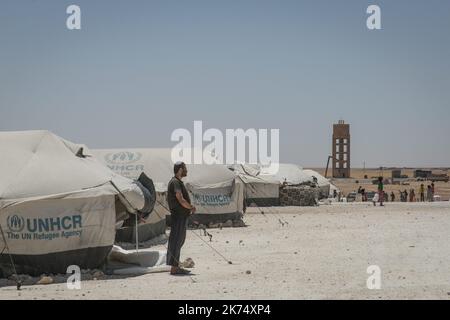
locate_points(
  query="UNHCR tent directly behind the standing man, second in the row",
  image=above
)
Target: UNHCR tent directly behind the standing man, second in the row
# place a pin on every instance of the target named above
(216, 192)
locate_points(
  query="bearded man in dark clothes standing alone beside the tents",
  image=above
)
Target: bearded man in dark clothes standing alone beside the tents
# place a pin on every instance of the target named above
(180, 210)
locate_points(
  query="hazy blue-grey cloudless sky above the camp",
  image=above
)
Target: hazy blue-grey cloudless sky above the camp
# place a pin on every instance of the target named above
(137, 70)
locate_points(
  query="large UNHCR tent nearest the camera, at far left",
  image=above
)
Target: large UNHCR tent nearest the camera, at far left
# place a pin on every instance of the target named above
(58, 203)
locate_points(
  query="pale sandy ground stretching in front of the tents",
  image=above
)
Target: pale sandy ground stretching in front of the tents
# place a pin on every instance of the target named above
(320, 253)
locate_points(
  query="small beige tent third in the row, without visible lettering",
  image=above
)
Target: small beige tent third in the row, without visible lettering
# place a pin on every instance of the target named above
(259, 191)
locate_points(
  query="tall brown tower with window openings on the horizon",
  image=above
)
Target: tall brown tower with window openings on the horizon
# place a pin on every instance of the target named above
(341, 150)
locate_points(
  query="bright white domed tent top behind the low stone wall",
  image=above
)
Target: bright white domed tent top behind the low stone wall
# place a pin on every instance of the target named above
(286, 173)
